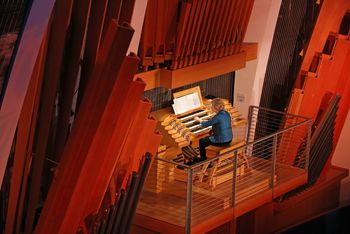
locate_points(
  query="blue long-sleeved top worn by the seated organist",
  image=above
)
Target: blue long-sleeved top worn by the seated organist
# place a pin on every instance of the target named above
(221, 126)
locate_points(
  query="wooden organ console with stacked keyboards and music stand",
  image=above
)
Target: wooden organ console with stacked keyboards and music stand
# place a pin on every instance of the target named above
(177, 124)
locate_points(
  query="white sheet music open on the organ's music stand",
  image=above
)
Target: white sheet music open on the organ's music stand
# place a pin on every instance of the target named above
(186, 103)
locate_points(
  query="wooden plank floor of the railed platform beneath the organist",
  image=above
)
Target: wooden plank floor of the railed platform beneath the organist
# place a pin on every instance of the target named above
(168, 206)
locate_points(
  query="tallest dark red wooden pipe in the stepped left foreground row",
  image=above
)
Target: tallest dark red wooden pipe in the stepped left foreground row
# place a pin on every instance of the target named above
(99, 89)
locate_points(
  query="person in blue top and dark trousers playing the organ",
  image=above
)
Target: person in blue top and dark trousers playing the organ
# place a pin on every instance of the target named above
(221, 128)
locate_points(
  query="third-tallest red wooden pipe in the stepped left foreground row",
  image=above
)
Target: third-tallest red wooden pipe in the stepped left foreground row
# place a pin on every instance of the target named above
(103, 165)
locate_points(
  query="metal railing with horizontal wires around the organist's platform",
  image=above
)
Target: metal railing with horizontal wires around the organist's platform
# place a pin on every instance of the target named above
(273, 160)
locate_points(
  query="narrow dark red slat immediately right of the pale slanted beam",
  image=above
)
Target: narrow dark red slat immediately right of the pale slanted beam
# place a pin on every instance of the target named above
(52, 73)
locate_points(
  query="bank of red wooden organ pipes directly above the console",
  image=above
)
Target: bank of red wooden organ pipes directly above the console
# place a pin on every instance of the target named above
(206, 30)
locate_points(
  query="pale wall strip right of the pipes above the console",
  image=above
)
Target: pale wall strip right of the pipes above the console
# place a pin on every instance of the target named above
(260, 29)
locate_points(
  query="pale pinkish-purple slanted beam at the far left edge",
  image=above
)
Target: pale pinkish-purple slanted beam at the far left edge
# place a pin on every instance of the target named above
(20, 76)
